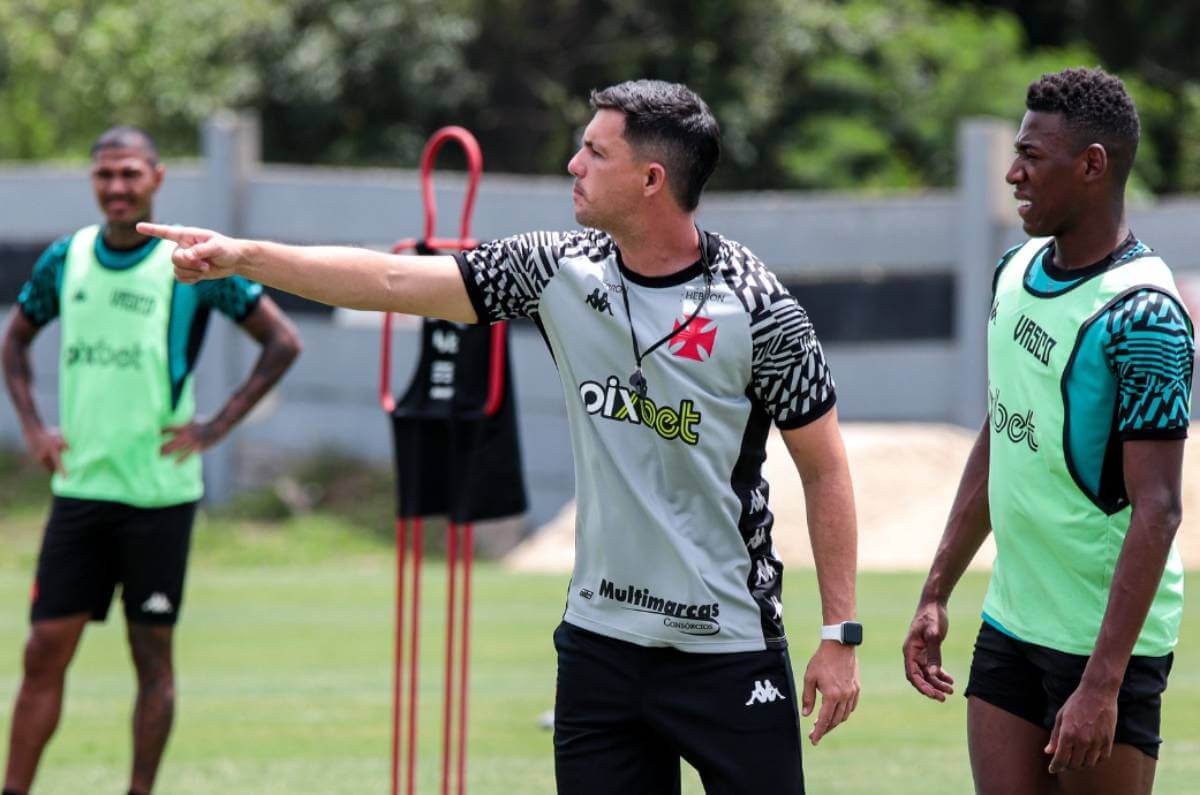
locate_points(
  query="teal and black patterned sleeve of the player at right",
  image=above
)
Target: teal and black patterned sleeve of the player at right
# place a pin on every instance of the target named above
(1151, 350)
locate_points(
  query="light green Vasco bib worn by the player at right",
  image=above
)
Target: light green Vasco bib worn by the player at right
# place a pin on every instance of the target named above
(1057, 547)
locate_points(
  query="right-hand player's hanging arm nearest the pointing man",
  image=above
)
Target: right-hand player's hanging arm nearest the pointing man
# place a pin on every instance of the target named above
(965, 531)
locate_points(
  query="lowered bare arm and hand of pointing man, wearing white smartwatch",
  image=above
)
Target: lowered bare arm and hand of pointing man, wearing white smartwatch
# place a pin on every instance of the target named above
(820, 458)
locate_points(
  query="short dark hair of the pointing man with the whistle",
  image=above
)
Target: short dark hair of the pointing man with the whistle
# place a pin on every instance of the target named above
(670, 123)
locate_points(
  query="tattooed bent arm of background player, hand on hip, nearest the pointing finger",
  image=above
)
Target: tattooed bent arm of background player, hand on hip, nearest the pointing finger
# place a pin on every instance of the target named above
(281, 345)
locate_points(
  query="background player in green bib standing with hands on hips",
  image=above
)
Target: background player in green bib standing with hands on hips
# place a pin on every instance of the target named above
(127, 471)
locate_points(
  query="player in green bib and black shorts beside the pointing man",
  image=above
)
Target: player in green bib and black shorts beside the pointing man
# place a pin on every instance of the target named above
(1077, 471)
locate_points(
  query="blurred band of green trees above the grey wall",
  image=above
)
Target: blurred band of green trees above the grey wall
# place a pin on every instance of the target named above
(823, 94)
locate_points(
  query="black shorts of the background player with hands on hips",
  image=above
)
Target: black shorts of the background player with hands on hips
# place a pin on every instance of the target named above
(91, 546)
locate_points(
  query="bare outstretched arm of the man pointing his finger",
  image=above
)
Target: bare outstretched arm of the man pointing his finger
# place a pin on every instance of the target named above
(337, 276)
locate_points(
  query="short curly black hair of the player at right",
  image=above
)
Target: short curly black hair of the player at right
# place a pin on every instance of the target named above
(1097, 110)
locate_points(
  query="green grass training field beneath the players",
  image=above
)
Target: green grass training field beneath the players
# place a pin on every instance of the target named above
(285, 679)
